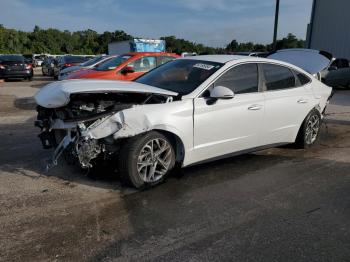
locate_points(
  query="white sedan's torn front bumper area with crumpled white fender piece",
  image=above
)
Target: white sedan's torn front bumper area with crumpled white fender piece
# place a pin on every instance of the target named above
(87, 142)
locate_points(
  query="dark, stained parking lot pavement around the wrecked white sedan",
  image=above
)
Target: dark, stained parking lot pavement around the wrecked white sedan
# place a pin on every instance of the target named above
(279, 204)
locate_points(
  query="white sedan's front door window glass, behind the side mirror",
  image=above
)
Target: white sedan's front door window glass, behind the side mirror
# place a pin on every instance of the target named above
(240, 79)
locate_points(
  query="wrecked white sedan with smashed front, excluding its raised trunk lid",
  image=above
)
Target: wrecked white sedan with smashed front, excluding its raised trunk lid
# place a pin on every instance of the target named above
(187, 111)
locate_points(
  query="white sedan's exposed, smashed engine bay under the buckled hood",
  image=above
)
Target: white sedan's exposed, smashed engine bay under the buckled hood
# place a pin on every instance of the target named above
(82, 129)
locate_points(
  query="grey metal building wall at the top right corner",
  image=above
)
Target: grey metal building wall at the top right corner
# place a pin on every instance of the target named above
(329, 28)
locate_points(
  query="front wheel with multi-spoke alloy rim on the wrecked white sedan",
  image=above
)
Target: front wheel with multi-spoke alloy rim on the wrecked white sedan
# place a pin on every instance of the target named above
(139, 165)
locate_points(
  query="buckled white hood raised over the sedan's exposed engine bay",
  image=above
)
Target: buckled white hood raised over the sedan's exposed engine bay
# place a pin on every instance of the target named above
(57, 94)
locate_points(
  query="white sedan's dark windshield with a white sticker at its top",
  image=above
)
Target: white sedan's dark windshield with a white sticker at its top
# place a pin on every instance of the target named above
(182, 76)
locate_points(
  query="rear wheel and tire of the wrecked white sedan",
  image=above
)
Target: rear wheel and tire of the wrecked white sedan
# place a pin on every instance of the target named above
(309, 130)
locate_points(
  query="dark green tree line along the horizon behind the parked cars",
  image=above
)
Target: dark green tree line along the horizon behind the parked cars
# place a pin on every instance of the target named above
(54, 41)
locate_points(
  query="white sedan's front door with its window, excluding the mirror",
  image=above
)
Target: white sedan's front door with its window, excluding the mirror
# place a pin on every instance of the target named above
(230, 125)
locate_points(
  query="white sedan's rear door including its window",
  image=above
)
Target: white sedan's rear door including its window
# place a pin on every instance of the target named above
(287, 102)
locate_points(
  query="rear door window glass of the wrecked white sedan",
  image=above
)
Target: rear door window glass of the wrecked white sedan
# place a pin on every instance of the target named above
(278, 77)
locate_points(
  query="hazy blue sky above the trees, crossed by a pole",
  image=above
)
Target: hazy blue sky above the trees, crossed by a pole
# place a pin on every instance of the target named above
(210, 22)
